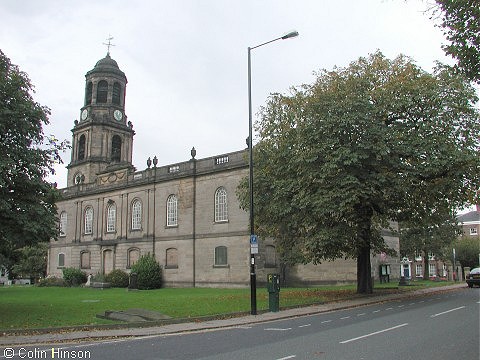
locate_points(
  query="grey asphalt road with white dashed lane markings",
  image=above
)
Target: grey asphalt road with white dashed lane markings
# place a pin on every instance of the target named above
(440, 326)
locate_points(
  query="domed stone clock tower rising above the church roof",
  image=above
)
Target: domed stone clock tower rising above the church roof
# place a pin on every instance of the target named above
(102, 138)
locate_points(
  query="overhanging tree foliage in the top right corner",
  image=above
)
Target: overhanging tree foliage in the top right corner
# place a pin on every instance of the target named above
(460, 22)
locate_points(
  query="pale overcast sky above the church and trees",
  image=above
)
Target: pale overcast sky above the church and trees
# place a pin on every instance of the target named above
(186, 60)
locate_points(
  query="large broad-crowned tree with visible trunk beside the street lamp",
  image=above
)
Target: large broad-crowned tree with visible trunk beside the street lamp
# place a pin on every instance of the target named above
(376, 141)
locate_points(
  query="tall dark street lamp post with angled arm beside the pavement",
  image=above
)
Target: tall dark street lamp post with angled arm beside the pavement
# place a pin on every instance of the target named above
(253, 276)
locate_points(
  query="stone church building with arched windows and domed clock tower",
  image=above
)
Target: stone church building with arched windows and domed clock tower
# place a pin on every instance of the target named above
(186, 214)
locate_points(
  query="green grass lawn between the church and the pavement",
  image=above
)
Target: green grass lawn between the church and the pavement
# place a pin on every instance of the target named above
(29, 307)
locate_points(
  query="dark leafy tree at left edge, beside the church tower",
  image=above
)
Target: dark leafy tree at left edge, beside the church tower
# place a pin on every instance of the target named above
(27, 156)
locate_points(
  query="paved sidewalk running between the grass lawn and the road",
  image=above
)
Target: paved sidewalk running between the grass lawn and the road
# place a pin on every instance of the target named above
(102, 334)
